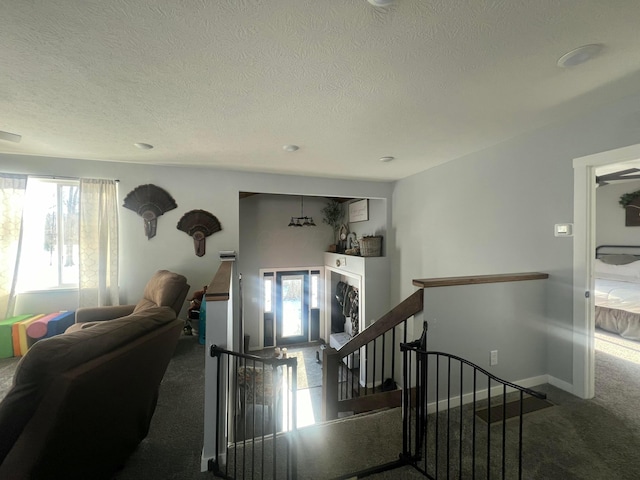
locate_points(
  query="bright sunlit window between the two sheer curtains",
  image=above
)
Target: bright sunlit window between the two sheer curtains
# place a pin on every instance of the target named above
(49, 249)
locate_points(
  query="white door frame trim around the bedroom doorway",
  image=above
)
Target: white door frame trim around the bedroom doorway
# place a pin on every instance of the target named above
(583, 248)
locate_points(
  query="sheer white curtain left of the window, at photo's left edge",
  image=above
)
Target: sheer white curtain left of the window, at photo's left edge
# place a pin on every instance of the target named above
(12, 190)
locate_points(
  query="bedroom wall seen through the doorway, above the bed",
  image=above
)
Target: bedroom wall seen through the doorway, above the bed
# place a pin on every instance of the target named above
(610, 215)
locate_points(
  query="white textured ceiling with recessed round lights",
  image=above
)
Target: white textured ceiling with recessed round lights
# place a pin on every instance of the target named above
(226, 83)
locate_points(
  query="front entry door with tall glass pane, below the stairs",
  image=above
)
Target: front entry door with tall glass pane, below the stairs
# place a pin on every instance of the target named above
(292, 307)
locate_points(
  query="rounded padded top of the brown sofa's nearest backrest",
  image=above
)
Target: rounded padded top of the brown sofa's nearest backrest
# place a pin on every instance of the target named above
(50, 357)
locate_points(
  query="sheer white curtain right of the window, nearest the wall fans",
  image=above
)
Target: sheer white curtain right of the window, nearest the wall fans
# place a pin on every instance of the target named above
(98, 243)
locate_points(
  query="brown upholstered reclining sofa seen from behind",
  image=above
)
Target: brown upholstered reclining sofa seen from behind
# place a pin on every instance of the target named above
(81, 402)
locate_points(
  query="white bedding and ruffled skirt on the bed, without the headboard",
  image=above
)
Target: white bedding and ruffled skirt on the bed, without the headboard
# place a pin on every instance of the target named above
(617, 298)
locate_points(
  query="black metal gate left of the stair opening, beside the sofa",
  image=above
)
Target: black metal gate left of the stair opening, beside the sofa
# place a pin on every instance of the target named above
(259, 417)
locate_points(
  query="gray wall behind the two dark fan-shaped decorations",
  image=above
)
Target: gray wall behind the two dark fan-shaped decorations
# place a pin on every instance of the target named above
(216, 191)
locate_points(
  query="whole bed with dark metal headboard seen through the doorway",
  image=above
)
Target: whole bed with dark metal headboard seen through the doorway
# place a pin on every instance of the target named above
(617, 289)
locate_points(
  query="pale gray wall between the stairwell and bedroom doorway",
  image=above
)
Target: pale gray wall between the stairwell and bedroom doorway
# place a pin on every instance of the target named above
(493, 212)
